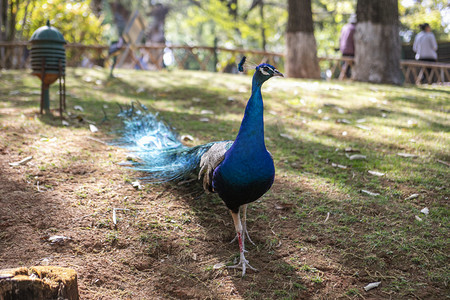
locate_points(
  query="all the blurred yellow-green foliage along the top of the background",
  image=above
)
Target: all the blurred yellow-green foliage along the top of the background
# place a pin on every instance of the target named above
(201, 22)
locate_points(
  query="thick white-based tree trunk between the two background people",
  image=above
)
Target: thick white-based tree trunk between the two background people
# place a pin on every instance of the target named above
(377, 42)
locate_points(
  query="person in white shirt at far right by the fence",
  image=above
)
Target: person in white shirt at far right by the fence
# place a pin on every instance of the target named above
(425, 44)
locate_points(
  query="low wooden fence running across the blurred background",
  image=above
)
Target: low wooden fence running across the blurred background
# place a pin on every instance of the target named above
(16, 56)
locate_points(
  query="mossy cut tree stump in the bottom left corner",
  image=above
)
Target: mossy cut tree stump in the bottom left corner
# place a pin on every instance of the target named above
(38, 283)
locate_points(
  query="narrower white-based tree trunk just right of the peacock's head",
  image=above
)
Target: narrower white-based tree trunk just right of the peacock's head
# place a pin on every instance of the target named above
(301, 56)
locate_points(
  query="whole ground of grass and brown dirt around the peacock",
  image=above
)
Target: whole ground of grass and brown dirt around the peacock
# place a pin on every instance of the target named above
(318, 235)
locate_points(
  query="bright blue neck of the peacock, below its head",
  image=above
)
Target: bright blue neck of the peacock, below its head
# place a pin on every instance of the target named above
(251, 132)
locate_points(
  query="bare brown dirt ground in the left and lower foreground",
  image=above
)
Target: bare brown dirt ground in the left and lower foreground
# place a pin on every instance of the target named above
(170, 241)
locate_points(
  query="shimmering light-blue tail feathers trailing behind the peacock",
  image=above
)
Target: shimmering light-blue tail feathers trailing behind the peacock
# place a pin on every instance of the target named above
(159, 152)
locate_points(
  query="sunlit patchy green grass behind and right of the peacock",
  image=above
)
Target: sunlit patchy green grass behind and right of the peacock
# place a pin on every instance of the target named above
(329, 226)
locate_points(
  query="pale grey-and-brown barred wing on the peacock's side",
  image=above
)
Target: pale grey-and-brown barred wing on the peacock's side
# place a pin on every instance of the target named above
(210, 160)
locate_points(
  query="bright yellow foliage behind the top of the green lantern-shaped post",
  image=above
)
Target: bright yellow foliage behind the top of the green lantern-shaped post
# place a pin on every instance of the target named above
(73, 18)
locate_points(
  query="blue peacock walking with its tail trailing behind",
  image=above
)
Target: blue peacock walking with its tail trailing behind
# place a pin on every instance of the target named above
(240, 171)
